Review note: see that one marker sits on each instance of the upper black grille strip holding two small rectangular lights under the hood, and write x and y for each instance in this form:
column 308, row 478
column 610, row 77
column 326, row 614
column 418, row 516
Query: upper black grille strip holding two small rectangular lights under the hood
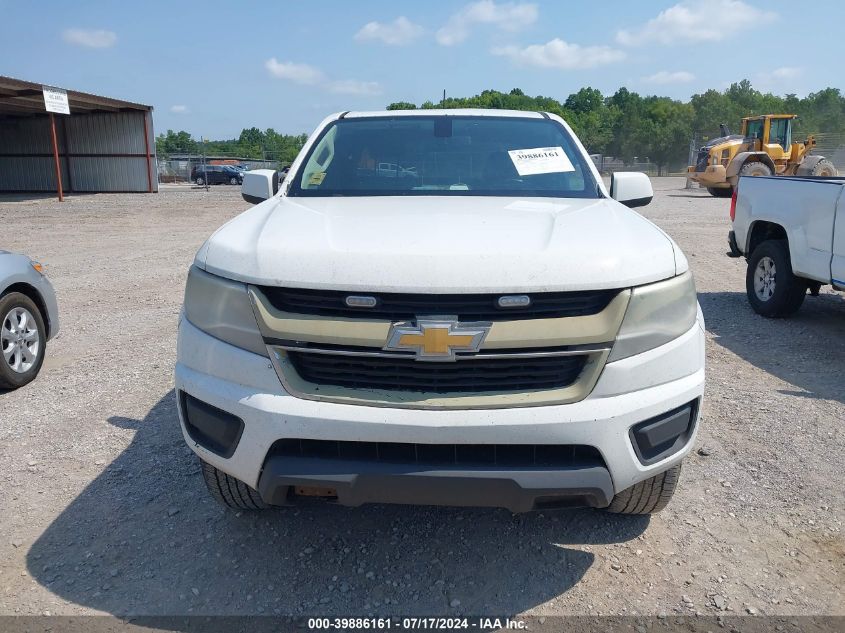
column 467, row 307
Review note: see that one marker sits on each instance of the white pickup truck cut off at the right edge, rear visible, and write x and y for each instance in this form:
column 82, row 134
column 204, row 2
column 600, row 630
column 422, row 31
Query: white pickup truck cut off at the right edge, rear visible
column 792, row 233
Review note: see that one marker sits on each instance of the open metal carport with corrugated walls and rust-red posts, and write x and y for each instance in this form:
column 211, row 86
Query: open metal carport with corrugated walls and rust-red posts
column 104, row 145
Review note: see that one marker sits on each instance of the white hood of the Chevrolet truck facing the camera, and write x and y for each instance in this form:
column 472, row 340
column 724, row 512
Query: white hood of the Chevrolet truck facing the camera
column 441, row 244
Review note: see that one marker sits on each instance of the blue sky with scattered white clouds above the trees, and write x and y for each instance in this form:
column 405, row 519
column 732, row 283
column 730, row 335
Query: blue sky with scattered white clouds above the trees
column 213, row 68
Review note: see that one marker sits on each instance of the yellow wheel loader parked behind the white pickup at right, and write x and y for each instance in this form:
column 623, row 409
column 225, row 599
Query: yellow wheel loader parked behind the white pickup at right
column 763, row 148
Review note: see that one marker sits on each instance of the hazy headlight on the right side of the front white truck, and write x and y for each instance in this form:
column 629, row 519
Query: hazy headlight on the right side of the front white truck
column 657, row 313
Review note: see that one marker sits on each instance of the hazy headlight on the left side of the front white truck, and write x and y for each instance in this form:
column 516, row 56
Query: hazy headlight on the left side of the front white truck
column 221, row 307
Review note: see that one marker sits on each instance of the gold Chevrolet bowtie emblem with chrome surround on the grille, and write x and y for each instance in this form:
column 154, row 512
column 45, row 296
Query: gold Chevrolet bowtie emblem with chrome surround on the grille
column 433, row 339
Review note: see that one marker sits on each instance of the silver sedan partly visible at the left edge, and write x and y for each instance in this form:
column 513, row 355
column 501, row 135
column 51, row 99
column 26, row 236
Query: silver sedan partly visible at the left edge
column 30, row 317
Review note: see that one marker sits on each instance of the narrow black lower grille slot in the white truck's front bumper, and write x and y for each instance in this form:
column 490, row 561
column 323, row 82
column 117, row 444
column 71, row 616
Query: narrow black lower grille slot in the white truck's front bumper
column 441, row 454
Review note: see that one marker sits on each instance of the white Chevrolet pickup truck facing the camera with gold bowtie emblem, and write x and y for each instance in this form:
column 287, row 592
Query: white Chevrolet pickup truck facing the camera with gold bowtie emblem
column 480, row 323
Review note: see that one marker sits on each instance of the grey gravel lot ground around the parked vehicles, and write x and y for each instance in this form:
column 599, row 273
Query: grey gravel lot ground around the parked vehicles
column 103, row 509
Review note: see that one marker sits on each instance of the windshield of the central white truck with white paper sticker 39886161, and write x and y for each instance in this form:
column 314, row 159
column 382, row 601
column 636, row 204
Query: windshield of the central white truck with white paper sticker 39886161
column 444, row 155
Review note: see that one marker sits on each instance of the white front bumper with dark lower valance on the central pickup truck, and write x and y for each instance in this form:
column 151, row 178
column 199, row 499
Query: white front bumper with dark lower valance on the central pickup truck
column 628, row 392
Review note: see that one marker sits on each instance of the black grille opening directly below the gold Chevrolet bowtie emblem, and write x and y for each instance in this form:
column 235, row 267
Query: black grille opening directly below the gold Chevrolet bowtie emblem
column 465, row 376
